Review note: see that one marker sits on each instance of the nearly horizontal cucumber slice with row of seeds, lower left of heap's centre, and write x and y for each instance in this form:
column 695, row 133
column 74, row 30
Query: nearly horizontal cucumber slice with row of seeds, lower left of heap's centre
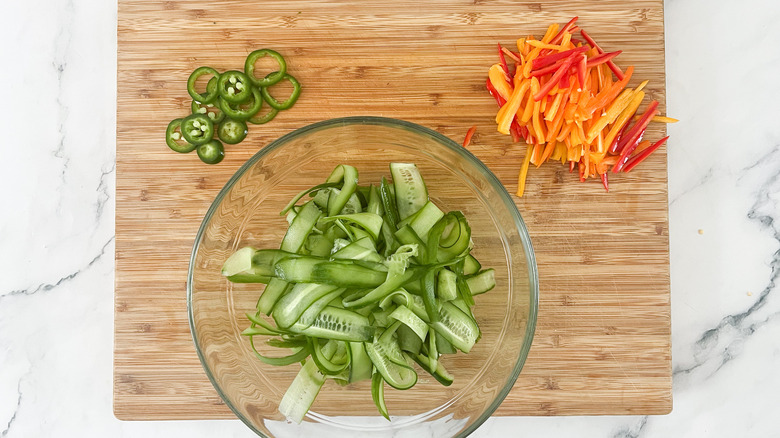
column 337, row 324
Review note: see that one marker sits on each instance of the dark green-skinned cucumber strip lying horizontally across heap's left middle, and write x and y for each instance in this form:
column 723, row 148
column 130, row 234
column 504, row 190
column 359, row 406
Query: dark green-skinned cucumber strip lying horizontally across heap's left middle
column 336, row 273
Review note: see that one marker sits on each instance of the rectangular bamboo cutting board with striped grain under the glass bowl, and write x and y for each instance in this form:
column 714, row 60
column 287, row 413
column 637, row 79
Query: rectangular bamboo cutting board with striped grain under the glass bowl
column 602, row 342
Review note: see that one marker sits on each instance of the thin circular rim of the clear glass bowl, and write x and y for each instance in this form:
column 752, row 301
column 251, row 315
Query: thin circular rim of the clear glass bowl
column 533, row 276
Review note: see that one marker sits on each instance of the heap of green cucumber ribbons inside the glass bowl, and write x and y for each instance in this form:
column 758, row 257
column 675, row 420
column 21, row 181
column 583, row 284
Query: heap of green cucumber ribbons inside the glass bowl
column 341, row 288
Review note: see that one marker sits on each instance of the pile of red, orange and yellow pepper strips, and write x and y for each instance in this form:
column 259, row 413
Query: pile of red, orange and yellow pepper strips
column 562, row 99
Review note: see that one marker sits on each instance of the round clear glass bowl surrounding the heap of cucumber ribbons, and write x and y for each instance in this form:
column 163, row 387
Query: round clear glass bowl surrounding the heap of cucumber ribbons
column 246, row 212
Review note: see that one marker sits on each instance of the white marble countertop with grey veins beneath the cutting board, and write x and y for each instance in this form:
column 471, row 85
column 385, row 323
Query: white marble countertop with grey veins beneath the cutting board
column 57, row 226
